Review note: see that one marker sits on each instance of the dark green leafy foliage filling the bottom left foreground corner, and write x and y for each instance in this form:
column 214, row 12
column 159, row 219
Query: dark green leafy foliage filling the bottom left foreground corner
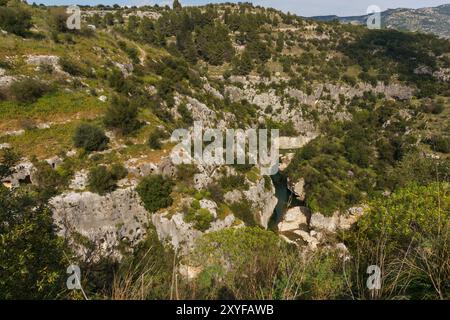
column 32, row 257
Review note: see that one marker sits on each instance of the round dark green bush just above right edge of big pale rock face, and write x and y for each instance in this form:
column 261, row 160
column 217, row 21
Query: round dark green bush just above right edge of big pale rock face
column 155, row 192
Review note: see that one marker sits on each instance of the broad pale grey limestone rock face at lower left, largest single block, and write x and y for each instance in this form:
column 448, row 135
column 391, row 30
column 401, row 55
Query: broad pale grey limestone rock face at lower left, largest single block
column 103, row 220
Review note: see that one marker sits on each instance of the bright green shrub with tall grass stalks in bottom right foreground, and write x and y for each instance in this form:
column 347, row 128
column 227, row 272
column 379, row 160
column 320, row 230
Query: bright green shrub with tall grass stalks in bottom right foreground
column 406, row 234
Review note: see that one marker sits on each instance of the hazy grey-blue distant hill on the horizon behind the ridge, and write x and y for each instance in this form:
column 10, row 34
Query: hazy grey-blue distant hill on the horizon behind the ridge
column 435, row 20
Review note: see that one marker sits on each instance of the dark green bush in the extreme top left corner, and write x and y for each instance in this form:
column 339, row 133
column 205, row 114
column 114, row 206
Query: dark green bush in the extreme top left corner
column 15, row 20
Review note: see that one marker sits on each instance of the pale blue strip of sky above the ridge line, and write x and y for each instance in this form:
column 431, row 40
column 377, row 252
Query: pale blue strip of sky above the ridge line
column 301, row 7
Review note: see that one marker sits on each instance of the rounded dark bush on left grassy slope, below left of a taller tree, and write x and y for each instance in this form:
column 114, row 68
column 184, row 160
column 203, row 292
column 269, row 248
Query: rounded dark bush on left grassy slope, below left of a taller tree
column 90, row 138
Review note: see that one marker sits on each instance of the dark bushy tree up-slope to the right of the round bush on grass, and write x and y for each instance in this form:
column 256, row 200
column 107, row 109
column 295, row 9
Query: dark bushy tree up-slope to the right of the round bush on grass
column 122, row 115
